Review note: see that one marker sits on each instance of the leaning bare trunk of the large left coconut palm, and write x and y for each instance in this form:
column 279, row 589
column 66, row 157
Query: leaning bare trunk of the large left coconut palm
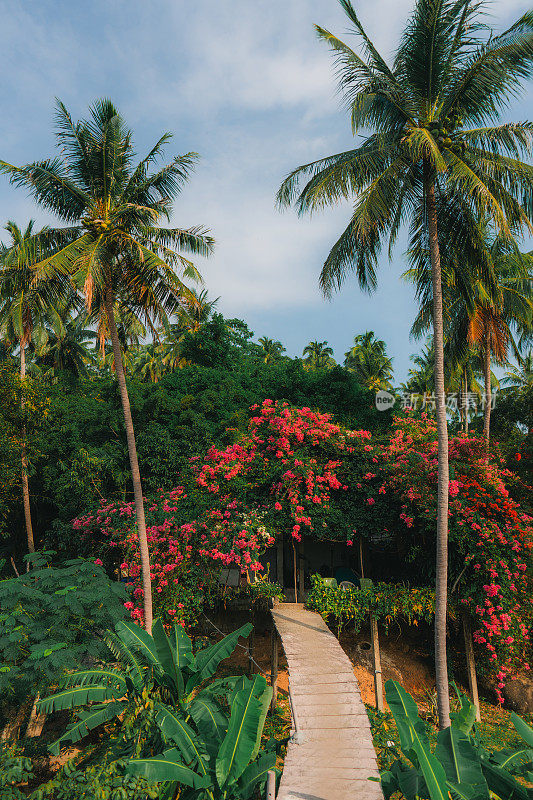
column 134, row 463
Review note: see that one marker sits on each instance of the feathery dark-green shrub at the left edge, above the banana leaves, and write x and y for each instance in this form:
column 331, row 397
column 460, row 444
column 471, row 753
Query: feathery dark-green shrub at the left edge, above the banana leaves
column 48, row 618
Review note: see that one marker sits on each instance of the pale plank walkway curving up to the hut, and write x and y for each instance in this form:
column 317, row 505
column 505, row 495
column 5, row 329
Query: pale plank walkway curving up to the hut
column 331, row 757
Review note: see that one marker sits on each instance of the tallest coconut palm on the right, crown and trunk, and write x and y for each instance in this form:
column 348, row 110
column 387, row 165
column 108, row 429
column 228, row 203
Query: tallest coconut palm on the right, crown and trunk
column 432, row 116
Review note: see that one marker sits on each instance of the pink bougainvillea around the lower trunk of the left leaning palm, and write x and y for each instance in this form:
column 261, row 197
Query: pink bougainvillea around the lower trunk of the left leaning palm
column 186, row 557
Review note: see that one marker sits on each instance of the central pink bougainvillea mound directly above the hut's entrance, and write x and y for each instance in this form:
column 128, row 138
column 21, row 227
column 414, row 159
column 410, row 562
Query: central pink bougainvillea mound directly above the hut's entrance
column 293, row 465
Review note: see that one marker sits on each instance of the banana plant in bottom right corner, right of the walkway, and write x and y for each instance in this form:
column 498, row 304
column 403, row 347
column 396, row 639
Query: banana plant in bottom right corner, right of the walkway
column 459, row 768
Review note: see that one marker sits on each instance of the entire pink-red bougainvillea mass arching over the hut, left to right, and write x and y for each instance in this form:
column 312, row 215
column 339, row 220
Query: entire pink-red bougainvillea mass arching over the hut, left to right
column 297, row 473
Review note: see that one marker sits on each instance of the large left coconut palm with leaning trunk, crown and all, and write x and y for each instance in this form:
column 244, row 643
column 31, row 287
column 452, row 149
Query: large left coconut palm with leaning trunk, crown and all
column 117, row 253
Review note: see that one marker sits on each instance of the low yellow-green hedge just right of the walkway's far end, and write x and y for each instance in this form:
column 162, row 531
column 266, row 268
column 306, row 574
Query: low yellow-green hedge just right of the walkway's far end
column 386, row 601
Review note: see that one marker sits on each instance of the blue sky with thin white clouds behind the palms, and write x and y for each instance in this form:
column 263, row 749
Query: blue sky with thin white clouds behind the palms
column 246, row 85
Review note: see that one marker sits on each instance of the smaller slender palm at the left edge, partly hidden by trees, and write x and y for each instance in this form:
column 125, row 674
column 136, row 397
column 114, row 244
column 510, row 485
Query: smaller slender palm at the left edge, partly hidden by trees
column 23, row 303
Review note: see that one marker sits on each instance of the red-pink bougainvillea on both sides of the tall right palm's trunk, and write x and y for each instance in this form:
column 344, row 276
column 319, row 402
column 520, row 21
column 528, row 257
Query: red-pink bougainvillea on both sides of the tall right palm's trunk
column 490, row 537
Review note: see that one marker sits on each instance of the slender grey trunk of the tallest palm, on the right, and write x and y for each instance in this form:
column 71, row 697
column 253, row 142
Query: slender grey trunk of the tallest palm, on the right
column 441, row 580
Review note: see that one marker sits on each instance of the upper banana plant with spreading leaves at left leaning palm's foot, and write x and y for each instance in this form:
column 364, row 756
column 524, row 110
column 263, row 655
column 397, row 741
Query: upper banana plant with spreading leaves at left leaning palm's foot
column 146, row 670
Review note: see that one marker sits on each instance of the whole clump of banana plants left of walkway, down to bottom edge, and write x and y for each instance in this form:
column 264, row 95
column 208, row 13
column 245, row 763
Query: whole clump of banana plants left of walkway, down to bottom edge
column 183, row 727
